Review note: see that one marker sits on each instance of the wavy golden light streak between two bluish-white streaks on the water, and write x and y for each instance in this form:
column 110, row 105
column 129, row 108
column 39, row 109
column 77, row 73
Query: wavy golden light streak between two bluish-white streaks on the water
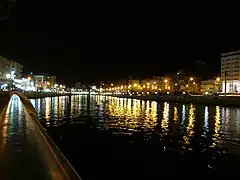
column 190, row 127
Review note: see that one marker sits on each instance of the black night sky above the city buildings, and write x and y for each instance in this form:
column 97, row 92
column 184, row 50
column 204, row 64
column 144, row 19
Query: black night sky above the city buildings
column 92, row 41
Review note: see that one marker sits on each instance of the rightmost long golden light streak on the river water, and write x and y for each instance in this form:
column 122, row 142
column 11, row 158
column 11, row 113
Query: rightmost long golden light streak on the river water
column 217, row 128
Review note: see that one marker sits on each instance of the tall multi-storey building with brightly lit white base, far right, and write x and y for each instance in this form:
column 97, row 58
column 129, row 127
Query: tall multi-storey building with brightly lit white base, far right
column 230, row 72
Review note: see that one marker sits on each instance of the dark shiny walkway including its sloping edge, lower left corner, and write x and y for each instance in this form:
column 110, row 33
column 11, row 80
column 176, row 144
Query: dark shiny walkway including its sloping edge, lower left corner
column 24, row 151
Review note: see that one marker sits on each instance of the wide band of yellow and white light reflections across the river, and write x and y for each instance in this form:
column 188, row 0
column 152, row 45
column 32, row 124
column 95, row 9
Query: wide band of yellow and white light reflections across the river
column 128, row 116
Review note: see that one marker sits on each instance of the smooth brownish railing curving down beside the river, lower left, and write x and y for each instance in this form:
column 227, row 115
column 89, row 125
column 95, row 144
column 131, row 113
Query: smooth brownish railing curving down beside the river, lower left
column 58, row 166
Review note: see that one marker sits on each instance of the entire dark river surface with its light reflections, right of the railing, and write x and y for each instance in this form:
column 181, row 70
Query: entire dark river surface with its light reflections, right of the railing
column 134, row 139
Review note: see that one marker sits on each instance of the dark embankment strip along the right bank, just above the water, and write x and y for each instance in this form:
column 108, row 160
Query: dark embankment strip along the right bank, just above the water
column 208, row 100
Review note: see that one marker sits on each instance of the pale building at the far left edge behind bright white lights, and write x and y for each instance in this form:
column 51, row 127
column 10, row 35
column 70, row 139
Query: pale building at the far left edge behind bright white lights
column 7, row 66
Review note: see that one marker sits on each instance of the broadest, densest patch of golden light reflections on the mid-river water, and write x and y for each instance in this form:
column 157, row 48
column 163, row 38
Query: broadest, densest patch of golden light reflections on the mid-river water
column 130, row 115
